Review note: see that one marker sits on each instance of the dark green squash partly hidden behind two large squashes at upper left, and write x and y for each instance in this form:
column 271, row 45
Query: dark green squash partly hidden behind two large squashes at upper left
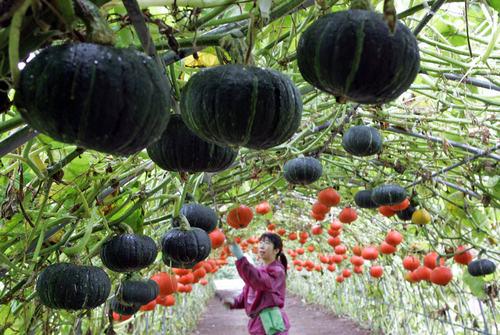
column 179, row 149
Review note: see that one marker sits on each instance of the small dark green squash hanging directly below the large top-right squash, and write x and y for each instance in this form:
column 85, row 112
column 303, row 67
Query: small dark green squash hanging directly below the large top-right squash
column 362, row 141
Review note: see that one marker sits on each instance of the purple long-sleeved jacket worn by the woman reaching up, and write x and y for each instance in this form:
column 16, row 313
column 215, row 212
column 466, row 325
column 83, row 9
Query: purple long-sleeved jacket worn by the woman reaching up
column 265, row 286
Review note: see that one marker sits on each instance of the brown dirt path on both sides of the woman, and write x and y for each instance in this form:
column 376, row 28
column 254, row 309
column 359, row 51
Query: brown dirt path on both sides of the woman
column 305, row 320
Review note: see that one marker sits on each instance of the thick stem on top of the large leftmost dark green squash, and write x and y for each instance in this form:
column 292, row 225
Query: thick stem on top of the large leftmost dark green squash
column 98, row 30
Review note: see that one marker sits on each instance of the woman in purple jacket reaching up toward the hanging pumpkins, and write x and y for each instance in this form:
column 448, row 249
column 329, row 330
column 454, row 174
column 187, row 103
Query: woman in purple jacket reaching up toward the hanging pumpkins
column 263, row 295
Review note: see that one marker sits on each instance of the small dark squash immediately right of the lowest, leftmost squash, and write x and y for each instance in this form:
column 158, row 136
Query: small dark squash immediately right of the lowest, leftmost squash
column 138, row 291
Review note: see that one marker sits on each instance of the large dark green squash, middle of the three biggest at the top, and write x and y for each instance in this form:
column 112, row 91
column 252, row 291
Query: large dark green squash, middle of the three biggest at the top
column 242, row 106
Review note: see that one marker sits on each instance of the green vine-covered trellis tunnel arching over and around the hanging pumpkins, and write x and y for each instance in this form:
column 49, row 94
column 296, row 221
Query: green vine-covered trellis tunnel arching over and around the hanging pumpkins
column 60, row 202
